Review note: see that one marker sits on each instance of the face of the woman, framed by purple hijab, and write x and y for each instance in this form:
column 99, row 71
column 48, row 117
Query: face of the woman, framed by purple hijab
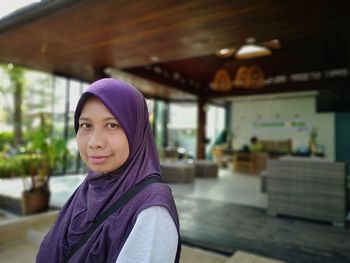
column 102, row 143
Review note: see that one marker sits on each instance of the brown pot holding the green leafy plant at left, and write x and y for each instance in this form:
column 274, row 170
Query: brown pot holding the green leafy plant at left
column 35, row 201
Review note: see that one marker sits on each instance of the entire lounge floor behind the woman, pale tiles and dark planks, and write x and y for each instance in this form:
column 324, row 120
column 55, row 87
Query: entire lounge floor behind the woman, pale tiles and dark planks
column 227, row 214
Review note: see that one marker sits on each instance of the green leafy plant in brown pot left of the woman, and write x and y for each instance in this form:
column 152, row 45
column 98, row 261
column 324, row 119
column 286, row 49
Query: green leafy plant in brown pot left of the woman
column 47, row 152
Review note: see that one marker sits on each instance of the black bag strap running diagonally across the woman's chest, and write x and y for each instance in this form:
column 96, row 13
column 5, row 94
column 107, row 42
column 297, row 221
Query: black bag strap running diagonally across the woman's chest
column 114, row 207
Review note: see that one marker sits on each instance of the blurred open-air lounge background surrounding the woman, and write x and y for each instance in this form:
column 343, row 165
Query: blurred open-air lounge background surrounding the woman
column 248, row 101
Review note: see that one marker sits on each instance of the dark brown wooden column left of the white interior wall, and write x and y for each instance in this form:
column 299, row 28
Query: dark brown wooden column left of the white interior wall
column 201, row 136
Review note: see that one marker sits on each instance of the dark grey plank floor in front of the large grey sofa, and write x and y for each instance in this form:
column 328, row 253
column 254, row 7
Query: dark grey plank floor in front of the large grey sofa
column 227, row 227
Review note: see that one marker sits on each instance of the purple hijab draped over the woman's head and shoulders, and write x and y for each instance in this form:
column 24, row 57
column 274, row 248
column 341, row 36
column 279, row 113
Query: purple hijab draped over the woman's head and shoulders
column 97, row 192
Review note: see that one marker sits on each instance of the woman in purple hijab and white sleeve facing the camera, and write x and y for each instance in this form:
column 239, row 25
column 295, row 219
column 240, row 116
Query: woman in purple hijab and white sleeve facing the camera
column 115, row 141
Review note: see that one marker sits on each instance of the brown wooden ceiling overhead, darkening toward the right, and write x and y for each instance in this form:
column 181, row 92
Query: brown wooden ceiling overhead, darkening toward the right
column 81, row 38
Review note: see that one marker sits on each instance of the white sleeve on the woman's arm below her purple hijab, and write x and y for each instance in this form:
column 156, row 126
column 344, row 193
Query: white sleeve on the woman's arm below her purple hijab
column 153, row 239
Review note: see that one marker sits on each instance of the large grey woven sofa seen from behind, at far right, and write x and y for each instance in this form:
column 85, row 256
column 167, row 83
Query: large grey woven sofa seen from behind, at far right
column 307, row 188
